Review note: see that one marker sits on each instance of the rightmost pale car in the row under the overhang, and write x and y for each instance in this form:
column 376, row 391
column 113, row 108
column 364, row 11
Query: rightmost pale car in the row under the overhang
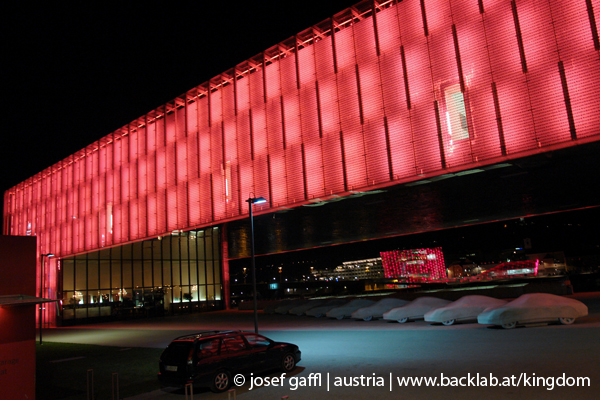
column 535, row 308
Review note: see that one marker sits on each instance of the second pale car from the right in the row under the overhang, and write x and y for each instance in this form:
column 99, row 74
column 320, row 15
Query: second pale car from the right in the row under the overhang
column 466, row 308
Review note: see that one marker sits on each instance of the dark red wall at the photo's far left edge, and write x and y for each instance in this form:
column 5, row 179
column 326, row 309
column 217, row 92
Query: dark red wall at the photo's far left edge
column 17, row 324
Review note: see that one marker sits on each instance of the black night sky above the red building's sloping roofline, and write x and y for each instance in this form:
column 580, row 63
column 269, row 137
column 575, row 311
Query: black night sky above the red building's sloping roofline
column 73, row 73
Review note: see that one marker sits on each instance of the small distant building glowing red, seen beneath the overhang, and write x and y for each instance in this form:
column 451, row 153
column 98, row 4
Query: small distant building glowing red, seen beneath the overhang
column 415, row 265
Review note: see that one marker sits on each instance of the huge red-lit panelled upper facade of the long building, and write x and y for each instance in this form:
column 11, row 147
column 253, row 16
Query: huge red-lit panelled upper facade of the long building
column 379, row 94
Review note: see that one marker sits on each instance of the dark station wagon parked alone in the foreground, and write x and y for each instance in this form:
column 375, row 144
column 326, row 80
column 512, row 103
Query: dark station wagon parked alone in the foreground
column 212, row 358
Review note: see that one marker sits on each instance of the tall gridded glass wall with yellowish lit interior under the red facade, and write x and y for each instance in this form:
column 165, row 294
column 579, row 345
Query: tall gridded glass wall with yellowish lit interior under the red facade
column 145, row 278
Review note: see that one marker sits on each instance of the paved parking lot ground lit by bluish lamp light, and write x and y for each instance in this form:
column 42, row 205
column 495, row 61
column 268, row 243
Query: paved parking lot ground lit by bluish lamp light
column 347, row 359
